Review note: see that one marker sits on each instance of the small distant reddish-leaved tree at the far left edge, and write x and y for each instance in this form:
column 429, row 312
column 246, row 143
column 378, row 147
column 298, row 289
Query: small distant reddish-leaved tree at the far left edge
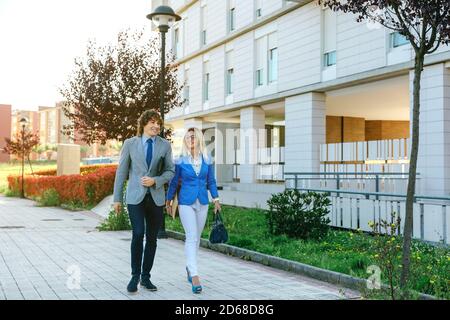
column 22, row 145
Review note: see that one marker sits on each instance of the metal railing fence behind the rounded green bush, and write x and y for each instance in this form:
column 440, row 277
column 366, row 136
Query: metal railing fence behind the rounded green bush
column 354, row 209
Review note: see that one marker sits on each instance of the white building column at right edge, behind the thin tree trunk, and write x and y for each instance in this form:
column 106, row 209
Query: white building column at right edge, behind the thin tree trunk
column 434, row 135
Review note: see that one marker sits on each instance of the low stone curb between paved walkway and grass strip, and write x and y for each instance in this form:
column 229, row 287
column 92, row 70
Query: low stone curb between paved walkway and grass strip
column 328, row 276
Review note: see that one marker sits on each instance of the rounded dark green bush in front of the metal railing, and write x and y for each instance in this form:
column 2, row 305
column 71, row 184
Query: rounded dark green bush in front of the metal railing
column 299, row 215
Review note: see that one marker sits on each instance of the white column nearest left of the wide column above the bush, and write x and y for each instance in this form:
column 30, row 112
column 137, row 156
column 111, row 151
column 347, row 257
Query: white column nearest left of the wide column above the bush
column 252, row 137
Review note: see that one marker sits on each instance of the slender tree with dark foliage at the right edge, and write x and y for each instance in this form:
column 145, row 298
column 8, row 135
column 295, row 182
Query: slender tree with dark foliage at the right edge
column 426, row 25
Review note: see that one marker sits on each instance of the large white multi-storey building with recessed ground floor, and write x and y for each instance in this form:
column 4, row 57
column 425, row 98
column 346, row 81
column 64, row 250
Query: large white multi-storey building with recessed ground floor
column 335, row 93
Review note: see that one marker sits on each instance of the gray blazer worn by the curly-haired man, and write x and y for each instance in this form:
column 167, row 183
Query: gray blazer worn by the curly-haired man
column 133, row 166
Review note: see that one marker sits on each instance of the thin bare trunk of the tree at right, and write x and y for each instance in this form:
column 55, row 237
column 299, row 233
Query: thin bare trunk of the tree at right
column 408, row 229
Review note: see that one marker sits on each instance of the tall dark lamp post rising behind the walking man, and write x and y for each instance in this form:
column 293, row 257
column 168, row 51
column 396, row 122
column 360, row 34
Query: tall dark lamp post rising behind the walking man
column 163, row 17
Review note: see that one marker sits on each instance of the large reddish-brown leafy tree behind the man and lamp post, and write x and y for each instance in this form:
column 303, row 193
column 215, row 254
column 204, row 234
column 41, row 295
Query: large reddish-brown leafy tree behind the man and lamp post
column 112, row 85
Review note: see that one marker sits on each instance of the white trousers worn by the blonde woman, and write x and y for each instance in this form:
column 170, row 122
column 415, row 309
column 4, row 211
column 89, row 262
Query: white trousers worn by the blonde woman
column 193, row 218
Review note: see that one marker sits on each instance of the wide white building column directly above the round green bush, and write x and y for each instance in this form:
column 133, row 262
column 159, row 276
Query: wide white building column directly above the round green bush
column 305, row 117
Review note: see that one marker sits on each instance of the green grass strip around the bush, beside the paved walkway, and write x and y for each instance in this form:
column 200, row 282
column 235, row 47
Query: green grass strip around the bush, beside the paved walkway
column 341, row 251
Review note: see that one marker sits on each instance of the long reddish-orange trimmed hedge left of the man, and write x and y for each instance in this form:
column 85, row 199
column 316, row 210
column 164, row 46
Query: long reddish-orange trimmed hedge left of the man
column 89, row 187
